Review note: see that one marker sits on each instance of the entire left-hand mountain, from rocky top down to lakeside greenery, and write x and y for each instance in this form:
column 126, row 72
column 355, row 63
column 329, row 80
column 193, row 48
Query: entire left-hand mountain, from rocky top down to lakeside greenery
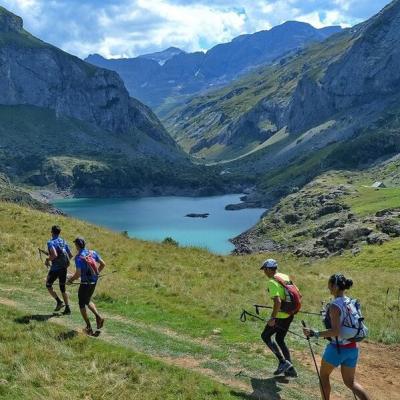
column 54, row 106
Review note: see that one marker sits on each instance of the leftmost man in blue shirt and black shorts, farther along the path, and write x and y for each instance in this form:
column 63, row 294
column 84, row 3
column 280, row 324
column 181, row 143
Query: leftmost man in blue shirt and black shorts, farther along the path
column 58, row 258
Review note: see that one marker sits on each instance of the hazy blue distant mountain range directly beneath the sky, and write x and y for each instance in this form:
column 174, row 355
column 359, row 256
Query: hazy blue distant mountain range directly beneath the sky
column 158, row 83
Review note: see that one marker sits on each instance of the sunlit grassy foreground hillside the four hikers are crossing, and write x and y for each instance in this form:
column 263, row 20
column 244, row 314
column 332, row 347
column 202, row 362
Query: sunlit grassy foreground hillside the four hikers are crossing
column 166, row 303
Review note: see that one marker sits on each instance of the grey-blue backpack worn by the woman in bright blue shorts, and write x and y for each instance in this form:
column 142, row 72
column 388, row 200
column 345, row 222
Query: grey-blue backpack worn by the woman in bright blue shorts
column 353, row 328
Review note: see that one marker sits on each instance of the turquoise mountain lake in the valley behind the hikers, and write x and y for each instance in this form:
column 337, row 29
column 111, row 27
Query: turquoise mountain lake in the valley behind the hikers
column 155, row 218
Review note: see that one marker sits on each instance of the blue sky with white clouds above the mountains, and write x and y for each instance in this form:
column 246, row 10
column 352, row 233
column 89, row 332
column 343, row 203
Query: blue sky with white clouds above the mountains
column 126, row 28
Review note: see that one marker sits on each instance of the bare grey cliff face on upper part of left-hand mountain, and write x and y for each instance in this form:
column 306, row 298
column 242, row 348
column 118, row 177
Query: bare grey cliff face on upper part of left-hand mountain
column 34, row 73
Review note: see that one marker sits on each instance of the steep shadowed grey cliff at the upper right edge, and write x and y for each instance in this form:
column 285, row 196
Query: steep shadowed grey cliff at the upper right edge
column 368, row 72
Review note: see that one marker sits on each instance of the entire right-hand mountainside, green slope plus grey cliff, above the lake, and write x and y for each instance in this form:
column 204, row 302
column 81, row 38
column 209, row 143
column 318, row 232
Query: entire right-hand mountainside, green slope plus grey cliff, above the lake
column 298, row 111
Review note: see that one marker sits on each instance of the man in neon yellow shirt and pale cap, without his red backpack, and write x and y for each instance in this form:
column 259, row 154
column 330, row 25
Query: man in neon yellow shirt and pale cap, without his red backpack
column 279, row 322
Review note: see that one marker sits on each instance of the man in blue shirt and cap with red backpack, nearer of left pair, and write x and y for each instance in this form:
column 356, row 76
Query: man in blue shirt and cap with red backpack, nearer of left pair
column 88, row 267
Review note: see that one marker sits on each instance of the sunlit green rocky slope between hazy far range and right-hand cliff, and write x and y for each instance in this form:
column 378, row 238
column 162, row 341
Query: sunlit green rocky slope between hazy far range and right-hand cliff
column 230, row 122
